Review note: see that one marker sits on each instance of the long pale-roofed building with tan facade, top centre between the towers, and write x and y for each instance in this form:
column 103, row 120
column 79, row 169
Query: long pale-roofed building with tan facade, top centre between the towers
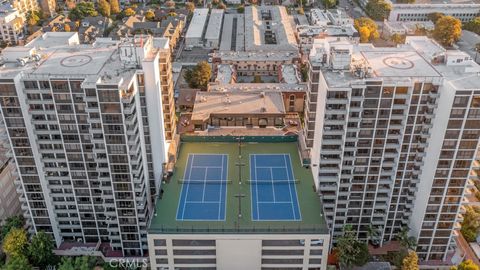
column 264, row 40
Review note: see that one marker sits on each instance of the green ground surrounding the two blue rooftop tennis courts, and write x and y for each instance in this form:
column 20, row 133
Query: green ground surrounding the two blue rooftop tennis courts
column 309, row 202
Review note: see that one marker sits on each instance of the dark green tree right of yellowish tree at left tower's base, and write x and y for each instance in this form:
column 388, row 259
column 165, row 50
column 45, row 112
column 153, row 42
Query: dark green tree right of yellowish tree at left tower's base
column 41, row 250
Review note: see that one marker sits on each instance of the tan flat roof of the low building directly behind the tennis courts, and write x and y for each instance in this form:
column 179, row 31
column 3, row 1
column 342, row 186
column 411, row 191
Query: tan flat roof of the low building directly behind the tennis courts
column 208, row 103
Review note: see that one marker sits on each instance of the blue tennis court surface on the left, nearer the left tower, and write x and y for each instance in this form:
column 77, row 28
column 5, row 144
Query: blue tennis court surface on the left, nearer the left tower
column 204, row 188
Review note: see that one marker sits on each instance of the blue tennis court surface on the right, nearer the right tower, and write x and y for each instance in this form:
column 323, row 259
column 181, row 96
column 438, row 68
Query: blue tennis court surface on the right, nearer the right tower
column 274, row 195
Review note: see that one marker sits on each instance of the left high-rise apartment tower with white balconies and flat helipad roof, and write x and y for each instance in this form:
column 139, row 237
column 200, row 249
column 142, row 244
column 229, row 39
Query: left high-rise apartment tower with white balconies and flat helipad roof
column 87, row 130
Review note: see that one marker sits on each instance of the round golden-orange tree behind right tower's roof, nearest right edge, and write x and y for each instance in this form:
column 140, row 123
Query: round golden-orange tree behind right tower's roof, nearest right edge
column 447, row 30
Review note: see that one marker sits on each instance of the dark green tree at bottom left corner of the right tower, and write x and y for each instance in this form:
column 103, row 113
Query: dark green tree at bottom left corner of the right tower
column 350, row 251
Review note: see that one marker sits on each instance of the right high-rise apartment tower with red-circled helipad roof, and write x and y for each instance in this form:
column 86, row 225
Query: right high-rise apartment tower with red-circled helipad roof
column 393, row 133
